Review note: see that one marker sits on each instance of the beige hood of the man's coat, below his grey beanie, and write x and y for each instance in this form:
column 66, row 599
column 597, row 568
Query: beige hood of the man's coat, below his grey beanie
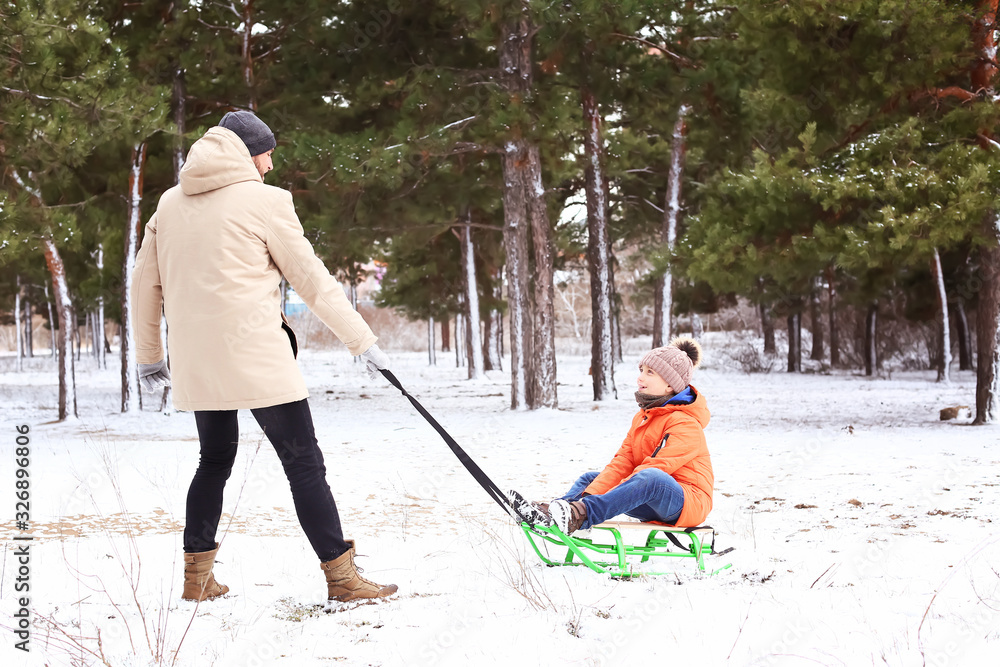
column 218, row 159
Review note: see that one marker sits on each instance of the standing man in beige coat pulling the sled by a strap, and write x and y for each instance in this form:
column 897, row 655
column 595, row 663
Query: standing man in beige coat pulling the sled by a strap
column 212, row 258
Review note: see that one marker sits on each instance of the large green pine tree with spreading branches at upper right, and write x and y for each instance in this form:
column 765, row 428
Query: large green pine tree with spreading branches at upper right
column 858, row 161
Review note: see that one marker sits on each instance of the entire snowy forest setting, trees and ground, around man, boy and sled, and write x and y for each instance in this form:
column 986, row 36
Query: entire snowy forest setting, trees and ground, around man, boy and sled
column 544, row 190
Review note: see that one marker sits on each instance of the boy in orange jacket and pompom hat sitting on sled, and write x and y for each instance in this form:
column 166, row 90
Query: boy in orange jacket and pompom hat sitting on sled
column 663, row 471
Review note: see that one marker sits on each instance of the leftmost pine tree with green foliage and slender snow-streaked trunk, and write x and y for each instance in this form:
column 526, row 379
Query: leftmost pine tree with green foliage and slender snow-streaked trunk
column 66, row 92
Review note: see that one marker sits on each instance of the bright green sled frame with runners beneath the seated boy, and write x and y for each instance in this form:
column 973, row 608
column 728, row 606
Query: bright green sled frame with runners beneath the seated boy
column 607, row 551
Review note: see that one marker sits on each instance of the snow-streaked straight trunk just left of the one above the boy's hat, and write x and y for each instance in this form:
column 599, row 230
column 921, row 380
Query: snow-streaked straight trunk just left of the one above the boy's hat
column 602, row 366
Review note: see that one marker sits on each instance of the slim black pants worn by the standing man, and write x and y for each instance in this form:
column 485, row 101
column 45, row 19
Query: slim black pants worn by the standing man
column 289, row 428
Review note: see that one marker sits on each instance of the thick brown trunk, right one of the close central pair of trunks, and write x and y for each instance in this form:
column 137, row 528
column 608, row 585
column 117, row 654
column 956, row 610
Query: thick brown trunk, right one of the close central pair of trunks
column 544, row 393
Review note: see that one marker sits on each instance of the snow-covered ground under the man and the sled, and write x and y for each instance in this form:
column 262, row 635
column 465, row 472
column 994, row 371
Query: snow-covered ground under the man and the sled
column 863, row 528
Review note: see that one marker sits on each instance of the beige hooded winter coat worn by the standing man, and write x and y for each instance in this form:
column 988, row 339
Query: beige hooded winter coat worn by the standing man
column 213, row 256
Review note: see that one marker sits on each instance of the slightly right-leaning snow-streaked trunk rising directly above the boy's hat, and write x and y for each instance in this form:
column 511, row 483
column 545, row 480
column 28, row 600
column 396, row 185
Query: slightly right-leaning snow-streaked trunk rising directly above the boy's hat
column 663, row 317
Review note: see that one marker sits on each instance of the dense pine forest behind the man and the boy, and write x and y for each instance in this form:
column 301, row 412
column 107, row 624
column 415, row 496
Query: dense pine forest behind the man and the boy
column 799, row 156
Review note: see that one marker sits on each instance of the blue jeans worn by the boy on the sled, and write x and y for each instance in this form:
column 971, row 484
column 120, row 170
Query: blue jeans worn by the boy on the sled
column 649, row 495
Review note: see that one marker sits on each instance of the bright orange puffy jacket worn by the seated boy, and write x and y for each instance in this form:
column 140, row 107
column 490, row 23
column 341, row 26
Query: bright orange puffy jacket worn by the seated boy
column 684, row 456
